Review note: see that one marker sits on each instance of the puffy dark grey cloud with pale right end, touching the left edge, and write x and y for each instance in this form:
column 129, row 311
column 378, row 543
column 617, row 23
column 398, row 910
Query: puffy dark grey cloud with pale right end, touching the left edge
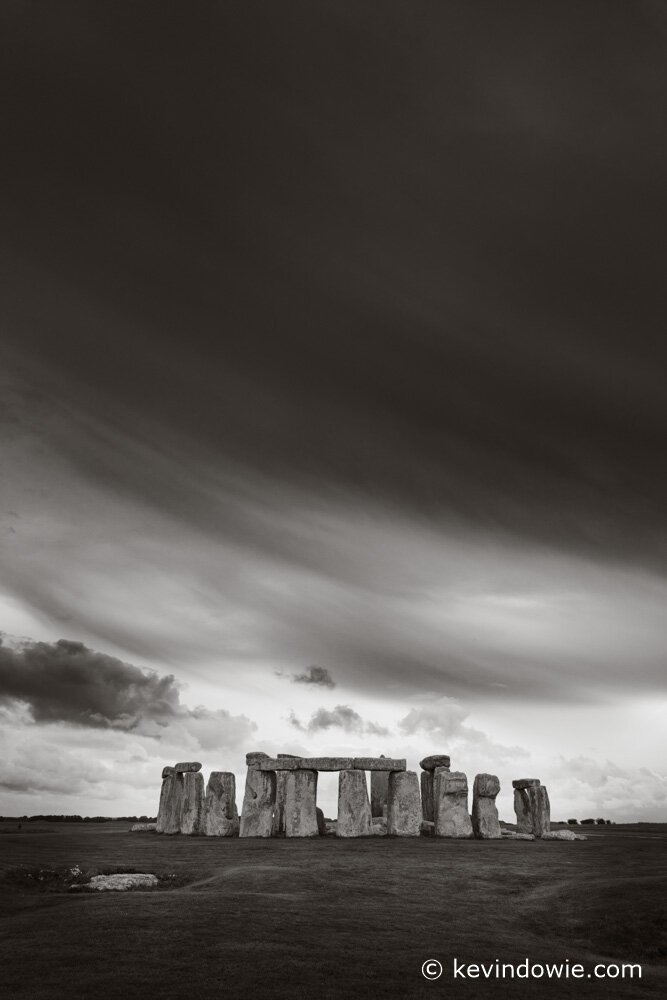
column 66, row 682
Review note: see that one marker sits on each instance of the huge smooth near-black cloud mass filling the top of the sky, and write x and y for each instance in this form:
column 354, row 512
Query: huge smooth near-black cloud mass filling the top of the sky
column 433, row 279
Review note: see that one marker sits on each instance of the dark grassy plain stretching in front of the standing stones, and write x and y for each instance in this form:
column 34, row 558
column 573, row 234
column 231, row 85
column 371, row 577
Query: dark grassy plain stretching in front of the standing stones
column 326, row 918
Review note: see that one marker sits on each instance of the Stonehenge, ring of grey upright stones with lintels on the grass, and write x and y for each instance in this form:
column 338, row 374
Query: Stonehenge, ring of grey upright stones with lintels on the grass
column 280, row 800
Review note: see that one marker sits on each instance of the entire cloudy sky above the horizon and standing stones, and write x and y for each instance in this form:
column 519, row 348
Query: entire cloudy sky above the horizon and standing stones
column 332, row 382
